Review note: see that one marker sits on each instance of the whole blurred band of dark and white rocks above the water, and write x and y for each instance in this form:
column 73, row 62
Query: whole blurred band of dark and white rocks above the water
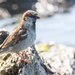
column 45, row 8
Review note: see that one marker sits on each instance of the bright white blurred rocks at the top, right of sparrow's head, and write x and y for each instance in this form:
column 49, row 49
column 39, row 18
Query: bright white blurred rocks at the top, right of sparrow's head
column 49, row 7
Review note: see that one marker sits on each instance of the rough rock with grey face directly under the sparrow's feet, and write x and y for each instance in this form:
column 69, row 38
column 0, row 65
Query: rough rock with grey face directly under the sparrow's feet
column 9, row 64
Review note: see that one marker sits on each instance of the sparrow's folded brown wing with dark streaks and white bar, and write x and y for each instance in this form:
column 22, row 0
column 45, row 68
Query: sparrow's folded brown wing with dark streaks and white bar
column 15, row 37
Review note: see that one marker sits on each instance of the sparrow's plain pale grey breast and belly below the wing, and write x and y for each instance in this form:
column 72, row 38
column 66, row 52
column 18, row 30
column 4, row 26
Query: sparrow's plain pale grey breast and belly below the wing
column 31, row 36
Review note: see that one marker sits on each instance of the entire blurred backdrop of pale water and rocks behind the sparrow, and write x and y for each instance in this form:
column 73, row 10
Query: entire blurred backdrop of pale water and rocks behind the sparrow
column 57, row 21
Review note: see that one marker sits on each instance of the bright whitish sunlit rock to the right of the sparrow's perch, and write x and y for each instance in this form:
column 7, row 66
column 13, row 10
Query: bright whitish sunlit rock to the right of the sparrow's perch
column 58, row 58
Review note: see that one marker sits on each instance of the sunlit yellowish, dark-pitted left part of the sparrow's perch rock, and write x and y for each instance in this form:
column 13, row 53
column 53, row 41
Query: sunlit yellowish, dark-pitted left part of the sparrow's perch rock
column 8, row 64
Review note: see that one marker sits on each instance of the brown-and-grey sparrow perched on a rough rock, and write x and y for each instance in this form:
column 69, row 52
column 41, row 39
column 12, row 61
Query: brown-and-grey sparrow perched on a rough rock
column 23, row 35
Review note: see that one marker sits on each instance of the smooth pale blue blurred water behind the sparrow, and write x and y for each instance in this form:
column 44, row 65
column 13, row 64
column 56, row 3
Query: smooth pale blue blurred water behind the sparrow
column 59, row 28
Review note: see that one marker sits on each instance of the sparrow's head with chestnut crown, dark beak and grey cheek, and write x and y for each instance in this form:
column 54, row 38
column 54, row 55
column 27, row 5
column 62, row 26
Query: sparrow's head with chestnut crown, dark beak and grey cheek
column 29, row 18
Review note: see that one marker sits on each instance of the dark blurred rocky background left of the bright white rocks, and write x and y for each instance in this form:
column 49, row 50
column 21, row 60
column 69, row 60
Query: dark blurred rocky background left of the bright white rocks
column 12, row 7
